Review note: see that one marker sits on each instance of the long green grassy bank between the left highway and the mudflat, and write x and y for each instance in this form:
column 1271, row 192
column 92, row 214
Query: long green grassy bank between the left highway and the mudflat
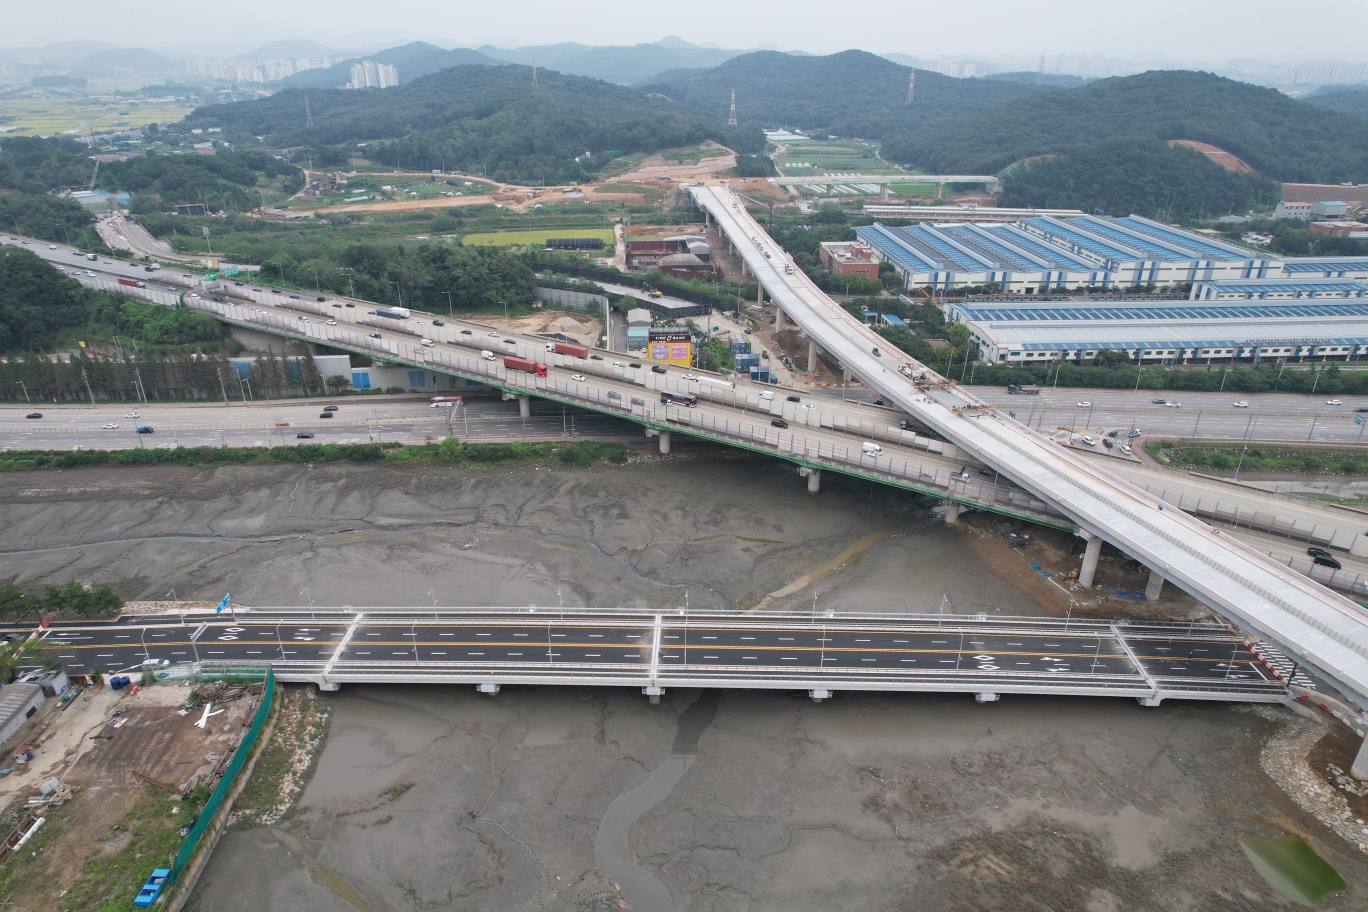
column 451, row 452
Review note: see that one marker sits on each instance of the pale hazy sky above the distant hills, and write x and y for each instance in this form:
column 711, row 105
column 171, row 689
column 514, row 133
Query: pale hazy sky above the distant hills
column 1153, row 29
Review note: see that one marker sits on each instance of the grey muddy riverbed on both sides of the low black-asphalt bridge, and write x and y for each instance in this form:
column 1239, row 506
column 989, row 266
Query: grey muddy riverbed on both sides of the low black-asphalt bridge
column 443, row 799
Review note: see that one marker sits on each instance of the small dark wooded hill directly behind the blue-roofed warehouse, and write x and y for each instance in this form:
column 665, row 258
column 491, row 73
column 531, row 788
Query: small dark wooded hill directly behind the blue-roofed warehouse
column 1143, row 176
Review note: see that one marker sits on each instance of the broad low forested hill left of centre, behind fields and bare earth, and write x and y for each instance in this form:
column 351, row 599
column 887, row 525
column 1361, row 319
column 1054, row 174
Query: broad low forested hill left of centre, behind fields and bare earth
column 482, row 120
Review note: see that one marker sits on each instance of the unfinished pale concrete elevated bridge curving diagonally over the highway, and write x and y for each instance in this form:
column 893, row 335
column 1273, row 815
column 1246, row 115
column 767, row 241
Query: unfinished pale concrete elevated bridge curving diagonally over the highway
column 1321, row 630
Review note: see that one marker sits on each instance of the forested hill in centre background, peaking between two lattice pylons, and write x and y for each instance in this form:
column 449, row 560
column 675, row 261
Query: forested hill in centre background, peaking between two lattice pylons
column 850, row 94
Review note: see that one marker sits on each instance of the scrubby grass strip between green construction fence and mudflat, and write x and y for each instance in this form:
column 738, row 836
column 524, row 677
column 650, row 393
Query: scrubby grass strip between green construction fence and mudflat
column 288, row 760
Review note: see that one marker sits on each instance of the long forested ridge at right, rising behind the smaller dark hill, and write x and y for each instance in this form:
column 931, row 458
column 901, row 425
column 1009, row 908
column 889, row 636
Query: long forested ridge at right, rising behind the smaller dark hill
column 1282, row 139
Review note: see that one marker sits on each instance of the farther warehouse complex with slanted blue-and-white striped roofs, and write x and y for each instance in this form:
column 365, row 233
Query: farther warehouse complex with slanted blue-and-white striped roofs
column 1046, row 254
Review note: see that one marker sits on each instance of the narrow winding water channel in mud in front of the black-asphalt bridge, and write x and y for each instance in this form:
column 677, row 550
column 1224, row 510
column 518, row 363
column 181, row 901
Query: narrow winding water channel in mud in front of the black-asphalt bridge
column 612, row 847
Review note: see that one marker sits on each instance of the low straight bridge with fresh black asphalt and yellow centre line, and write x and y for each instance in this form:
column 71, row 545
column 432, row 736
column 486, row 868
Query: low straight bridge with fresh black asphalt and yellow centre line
column 823, row 654
